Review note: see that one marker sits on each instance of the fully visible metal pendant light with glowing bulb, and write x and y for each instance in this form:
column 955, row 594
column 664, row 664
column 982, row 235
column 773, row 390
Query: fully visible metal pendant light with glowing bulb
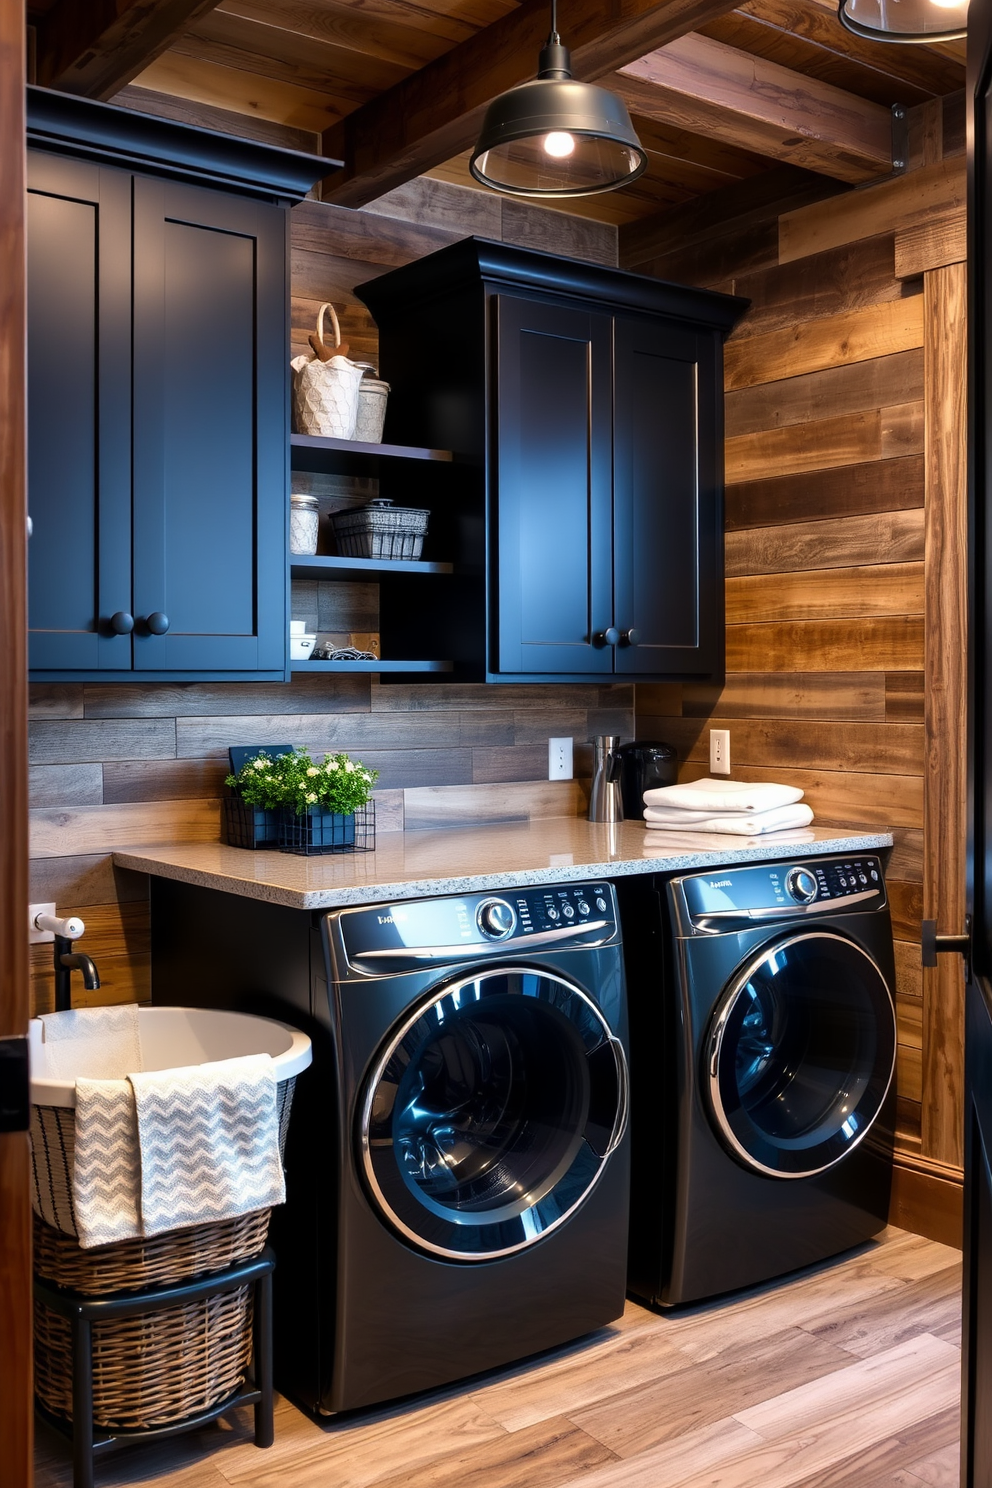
column 555, row 136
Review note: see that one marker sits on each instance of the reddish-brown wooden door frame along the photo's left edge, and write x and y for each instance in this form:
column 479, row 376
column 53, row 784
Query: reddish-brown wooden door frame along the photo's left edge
column 16, row 1212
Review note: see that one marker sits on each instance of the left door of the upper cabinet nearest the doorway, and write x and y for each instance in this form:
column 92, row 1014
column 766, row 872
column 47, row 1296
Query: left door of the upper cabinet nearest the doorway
column 80, row 413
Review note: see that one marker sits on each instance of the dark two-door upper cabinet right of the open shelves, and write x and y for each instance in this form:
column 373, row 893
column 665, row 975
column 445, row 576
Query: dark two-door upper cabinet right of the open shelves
column 587, row 410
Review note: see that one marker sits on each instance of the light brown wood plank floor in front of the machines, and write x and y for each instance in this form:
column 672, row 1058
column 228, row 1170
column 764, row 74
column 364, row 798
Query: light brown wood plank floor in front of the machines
column 846, row 1377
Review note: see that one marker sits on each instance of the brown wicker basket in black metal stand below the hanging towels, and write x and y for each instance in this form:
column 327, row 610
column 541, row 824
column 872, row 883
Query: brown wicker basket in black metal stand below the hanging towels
column 158, row 1368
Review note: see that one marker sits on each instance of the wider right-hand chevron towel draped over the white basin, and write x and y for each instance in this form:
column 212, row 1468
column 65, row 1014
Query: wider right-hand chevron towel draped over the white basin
column 209, row 1138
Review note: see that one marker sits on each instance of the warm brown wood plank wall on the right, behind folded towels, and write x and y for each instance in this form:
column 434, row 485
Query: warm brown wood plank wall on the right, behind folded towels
column 846, row 572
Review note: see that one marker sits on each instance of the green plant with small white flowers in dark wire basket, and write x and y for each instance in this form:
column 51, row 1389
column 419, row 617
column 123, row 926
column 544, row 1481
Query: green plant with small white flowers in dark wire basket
column 322, row 807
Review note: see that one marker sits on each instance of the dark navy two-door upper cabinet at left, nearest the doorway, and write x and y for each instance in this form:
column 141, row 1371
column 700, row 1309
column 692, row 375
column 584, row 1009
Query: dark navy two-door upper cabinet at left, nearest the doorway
column 158, row 413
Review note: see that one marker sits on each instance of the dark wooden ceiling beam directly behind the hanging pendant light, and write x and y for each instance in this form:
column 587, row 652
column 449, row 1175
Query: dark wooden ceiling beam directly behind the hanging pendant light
column 437, row 114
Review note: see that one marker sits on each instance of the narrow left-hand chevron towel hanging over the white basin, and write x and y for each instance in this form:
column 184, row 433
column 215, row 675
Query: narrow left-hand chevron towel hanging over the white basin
column 106, row 1164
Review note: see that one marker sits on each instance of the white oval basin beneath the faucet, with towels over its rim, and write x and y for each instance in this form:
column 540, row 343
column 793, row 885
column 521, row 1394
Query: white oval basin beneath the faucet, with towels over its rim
column 172, row 1038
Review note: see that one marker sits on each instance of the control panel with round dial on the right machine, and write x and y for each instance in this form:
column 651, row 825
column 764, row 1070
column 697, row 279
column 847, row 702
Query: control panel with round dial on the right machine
column 737, row 897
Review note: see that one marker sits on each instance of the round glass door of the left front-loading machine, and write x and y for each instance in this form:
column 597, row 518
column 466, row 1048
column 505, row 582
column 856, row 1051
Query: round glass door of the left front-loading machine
column 492, row 1114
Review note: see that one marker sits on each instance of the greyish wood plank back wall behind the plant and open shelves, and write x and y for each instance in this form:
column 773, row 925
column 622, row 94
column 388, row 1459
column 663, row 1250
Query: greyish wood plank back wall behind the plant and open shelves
column 124, row 764
